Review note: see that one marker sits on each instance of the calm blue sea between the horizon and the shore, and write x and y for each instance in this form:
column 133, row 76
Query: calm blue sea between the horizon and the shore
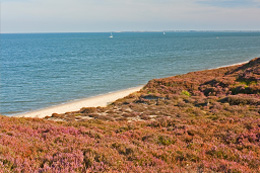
column 39, row 70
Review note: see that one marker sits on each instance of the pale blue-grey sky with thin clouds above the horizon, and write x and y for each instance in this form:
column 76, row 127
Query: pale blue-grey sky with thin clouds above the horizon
column 29, row 16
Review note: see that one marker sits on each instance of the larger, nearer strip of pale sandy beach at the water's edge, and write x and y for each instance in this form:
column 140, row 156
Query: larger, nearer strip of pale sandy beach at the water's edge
column 100, row 100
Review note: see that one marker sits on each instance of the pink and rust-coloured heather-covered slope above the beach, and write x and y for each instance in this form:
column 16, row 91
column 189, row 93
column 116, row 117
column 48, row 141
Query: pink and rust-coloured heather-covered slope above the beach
column 205, row 121
